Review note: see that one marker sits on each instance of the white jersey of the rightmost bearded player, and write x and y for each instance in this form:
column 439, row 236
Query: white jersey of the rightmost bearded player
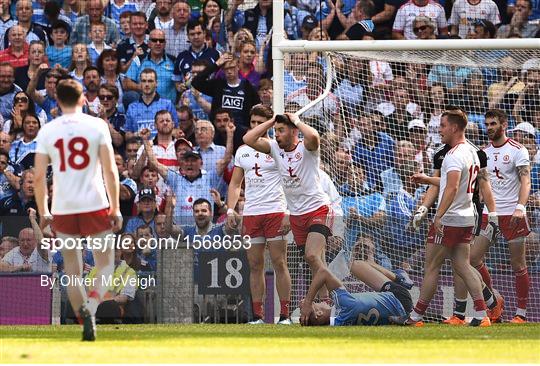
column 503, row 163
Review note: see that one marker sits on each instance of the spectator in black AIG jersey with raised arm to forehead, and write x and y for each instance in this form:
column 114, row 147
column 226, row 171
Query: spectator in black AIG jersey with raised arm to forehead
column 232, row 94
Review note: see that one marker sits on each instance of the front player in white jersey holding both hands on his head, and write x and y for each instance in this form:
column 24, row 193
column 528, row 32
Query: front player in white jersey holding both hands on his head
column 298, row 164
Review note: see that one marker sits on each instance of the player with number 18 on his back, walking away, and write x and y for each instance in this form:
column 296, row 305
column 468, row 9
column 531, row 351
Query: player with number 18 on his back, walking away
column 80, row 149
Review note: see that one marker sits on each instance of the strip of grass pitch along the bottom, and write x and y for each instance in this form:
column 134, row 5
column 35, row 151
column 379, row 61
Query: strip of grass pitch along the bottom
column 501, row 343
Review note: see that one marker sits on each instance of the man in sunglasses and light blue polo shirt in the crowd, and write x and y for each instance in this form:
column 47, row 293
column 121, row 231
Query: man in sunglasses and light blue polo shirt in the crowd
column 158, row 61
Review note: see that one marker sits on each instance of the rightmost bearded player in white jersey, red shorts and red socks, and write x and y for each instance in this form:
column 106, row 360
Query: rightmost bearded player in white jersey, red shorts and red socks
column 509, row 172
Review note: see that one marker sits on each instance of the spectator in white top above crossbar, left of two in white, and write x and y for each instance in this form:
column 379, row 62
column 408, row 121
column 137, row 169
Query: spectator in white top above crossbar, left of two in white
column 403, row 27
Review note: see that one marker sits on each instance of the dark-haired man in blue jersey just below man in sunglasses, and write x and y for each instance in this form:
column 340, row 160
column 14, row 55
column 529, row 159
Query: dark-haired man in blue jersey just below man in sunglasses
column 141, row 114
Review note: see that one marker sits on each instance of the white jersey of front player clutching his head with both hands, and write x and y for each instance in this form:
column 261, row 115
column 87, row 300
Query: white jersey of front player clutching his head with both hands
column 299, row 170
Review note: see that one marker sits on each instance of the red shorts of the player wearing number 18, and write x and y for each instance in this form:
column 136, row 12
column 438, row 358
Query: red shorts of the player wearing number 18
column 84, row 224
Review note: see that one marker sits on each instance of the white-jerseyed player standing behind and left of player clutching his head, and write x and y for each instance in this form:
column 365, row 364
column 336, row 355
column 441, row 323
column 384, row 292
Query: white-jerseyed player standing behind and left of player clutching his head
column 264, row 219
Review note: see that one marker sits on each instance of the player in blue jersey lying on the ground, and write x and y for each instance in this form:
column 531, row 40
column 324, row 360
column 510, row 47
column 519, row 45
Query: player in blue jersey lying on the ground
column 367, row 308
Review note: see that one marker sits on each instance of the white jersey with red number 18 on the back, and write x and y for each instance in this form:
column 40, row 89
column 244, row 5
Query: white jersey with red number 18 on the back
column 72, row 143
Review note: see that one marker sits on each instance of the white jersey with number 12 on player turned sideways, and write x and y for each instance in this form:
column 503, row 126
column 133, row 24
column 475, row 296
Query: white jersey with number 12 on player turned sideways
column 462, row 158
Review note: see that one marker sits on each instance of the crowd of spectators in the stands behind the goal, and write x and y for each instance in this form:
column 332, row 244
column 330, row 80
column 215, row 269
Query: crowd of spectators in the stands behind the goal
column 177, row 82
